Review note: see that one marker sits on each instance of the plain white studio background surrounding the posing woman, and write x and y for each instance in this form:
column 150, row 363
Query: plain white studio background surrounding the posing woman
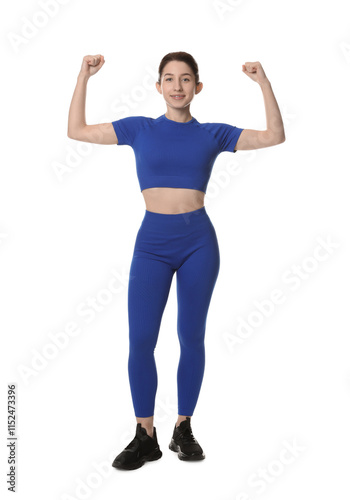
column 63, row 238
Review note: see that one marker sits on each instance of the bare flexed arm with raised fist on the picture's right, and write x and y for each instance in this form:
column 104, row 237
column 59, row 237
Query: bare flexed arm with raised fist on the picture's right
column 274, row 133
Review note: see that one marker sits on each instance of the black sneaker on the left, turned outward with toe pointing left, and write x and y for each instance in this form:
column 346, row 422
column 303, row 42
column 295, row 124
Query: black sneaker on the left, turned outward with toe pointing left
column 141, row 449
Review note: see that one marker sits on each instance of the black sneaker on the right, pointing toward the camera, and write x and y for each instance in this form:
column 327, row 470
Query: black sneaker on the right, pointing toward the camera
column 184, row 443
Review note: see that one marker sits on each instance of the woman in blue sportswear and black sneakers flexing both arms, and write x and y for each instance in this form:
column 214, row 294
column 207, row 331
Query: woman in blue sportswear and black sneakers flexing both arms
column 174, row 158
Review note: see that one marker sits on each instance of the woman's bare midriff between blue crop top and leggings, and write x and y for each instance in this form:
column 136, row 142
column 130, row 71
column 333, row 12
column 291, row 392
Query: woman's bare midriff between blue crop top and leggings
column 173, row 200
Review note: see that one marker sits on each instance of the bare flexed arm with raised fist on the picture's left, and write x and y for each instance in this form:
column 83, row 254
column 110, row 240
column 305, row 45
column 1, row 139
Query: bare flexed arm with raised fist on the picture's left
column 102, row 133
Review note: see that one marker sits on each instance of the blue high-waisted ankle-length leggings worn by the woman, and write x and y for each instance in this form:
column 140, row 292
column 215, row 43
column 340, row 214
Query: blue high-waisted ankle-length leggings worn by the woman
column 165, row 243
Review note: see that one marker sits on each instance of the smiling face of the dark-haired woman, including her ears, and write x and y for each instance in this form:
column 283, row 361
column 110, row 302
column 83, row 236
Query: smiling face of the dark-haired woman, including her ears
column 178, row 80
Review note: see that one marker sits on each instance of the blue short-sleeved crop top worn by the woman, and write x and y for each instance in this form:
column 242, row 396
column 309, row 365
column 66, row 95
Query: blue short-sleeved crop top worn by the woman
column 175, row 154
